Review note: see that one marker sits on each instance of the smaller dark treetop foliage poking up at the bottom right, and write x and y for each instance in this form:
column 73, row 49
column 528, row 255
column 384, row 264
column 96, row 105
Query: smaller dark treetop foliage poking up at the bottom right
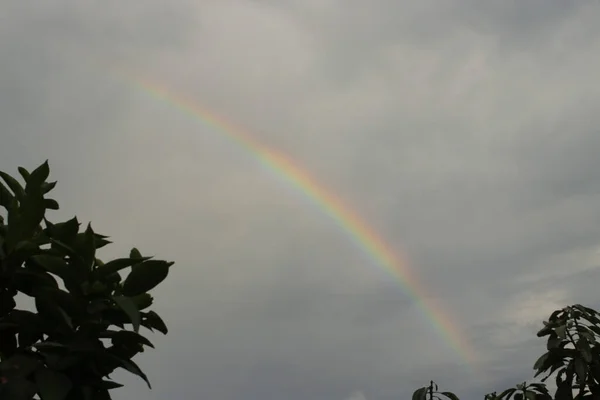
column 572, row 358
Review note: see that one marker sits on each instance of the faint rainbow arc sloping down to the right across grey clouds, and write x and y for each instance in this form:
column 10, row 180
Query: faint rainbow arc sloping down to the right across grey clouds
column 358, row 230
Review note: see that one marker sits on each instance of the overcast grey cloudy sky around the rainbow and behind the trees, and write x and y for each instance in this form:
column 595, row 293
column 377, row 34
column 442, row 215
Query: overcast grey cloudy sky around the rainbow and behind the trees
column 463, row 132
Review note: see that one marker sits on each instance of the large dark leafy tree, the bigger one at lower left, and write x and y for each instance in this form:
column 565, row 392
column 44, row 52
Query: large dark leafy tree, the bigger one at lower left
column 75, row 338
